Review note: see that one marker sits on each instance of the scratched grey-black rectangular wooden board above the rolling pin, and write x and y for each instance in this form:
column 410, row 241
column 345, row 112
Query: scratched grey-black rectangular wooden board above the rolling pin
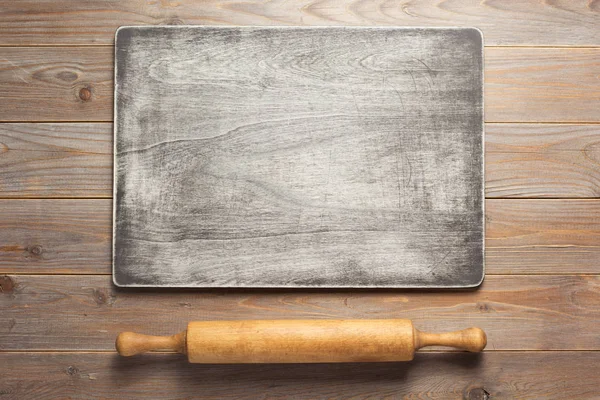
column 298, row 157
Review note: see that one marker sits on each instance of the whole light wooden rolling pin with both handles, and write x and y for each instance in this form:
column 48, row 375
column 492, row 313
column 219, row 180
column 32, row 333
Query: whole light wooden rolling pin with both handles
column 299, row 341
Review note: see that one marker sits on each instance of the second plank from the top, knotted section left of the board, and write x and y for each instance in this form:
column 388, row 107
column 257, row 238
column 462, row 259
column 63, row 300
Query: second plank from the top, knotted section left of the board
column 55, row 84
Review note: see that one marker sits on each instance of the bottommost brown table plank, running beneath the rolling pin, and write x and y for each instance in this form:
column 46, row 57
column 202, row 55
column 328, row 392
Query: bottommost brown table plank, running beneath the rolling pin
column 499, row 375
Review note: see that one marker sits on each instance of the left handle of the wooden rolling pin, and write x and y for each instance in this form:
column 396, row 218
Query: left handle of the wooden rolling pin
column 130, row 344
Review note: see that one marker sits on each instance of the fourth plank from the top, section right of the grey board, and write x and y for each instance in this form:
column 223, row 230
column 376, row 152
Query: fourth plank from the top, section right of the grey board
column 542, row 236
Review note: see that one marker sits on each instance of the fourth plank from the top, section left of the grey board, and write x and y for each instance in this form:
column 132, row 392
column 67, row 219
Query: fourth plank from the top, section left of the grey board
column 59, row 235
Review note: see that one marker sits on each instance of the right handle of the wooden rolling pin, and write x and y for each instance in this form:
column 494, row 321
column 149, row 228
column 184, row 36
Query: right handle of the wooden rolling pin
column 471, row 339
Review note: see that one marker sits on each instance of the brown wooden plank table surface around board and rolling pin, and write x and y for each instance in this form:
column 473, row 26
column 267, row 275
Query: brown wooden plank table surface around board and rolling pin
column 539, row 304
